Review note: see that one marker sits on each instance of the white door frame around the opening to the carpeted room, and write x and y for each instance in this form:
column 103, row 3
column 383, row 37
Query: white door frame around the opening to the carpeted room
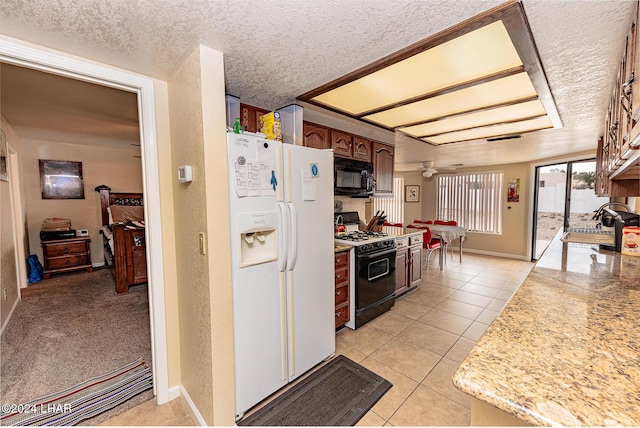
column 14, row 52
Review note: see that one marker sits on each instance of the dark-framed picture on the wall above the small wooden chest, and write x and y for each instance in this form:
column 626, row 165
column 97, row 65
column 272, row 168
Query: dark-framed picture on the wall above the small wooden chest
column 61, row 179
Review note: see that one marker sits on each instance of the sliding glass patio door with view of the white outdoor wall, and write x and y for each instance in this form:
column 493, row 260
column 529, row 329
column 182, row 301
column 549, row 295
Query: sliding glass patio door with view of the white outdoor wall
column 564, row 197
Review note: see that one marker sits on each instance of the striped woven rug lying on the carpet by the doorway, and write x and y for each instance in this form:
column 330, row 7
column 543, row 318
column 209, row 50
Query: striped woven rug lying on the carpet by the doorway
column 81, row 401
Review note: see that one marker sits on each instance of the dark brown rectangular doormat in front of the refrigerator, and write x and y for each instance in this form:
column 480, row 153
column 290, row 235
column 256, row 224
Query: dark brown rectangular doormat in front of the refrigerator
column 338, row 394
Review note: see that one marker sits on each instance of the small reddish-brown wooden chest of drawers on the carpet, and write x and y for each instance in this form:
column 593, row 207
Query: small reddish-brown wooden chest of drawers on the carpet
column 66, row 255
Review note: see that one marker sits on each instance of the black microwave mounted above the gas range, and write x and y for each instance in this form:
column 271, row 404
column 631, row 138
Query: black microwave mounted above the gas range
column 352, row 177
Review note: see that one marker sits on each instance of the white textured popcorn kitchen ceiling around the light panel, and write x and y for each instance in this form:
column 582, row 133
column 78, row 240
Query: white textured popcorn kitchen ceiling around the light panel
column 277, row 50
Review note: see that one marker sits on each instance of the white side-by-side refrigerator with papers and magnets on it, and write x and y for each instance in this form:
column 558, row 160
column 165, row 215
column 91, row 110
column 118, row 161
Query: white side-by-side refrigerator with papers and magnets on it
column 281, row 214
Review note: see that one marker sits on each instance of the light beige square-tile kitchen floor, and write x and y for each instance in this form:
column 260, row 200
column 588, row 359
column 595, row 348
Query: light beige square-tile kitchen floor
column 417, row 346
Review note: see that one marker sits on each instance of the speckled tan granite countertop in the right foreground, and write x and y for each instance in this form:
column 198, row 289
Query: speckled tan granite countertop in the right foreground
column 566, row 348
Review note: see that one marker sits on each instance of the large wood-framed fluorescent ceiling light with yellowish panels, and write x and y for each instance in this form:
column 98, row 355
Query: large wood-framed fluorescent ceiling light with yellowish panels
column 479, row 79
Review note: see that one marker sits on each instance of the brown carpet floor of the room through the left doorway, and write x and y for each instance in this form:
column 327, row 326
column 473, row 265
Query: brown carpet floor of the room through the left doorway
column 68, row 329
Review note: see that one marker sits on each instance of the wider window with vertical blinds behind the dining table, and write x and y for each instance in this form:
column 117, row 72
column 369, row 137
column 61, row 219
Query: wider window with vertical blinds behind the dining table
column 473, row 200
